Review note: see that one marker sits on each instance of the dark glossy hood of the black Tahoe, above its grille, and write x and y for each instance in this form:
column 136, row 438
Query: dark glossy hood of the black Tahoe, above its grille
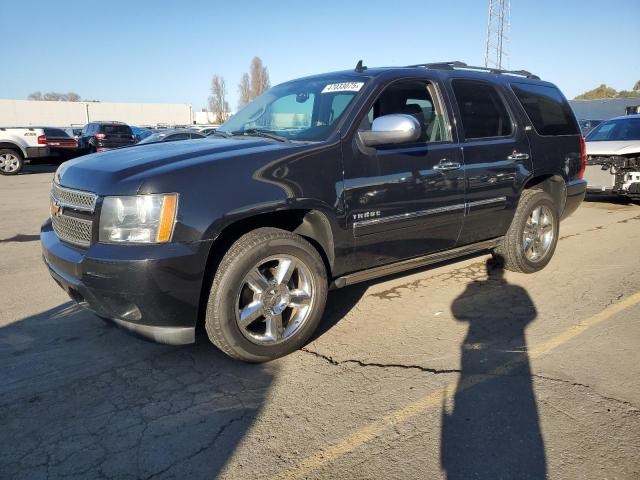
column 124, row 170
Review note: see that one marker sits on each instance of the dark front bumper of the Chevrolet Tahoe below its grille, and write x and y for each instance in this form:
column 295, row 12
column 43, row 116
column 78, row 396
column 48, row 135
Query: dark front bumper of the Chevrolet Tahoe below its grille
column 153, row 290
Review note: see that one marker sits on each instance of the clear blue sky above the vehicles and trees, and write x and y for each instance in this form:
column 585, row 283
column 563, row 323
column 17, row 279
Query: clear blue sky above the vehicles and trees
column 167, row 51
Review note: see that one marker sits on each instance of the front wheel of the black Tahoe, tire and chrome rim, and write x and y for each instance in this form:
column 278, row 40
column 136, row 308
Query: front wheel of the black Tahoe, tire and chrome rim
column 267, row 297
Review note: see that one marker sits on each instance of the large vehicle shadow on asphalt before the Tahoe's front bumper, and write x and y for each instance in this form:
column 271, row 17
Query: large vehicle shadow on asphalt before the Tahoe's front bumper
column 81, row 397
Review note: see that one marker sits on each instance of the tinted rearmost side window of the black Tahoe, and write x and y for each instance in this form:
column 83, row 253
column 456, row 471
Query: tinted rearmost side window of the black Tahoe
column 547, row 109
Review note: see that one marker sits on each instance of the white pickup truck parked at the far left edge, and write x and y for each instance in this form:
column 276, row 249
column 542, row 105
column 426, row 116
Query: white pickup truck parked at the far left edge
column 18, row 145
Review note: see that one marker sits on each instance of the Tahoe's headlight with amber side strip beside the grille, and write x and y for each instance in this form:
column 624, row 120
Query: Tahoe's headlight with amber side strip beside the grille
column 138, row 219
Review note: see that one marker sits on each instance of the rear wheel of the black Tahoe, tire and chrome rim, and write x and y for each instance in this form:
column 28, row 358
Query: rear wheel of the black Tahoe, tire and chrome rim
column 533, row 235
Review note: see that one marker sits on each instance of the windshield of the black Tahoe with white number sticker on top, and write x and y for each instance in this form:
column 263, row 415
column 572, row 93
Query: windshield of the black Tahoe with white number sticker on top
column 304, row 110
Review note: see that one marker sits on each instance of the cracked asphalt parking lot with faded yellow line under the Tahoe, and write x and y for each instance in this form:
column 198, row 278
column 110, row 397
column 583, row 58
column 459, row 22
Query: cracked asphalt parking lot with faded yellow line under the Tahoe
column 458, row 372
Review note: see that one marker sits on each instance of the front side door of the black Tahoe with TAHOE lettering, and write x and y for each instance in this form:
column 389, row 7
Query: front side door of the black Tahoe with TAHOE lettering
column 405, row 200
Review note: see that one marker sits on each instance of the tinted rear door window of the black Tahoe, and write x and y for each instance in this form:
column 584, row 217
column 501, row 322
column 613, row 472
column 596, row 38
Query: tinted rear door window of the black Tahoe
column 482, row 110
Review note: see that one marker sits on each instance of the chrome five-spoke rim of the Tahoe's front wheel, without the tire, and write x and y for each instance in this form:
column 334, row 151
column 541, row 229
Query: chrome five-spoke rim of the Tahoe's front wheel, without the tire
column 274, row 300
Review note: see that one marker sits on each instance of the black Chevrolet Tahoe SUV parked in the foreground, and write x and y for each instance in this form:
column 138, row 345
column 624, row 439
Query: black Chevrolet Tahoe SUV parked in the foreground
column 322, row 182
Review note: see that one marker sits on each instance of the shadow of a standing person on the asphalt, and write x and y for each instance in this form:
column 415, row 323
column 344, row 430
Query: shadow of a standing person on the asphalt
column 493, row 430
